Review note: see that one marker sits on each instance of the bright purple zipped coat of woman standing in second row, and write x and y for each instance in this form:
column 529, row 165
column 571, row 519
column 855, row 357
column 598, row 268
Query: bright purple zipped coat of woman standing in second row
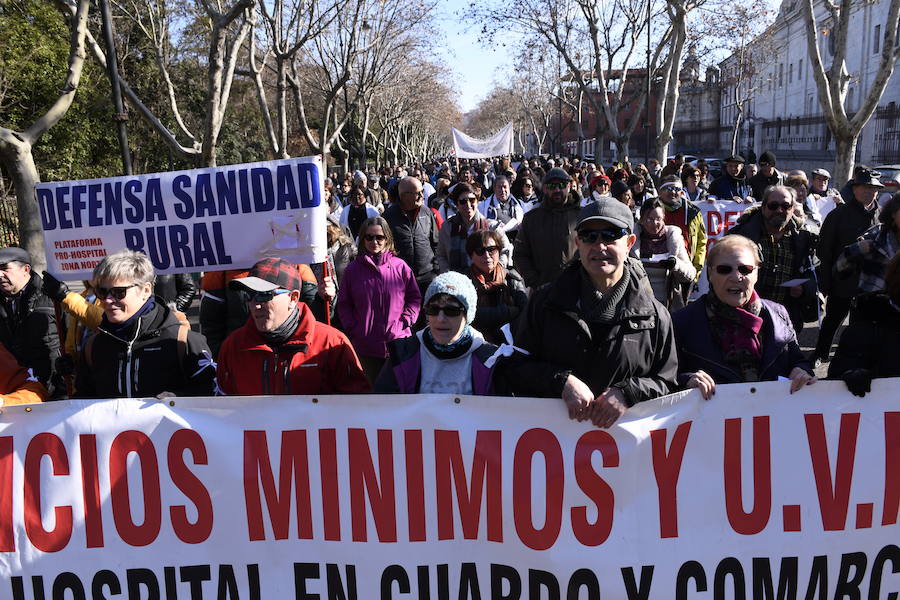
column 377, row 303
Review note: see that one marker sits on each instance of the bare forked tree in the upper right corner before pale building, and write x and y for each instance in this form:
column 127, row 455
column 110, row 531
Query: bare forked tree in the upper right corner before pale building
column 832, row 83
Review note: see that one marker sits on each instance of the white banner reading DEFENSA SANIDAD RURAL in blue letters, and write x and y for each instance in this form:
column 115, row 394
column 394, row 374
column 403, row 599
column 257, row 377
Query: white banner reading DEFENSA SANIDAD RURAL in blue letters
column 186, row 221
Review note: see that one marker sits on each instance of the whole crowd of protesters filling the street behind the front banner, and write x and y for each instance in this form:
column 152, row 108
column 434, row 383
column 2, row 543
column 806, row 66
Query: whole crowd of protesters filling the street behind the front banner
column 544, row 277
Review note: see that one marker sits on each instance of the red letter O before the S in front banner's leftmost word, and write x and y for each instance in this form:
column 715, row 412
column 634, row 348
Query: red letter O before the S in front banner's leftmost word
column 139, row 443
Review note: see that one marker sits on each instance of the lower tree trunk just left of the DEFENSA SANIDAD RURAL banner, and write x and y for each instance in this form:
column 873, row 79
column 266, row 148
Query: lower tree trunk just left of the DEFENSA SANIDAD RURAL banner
column 15, row 154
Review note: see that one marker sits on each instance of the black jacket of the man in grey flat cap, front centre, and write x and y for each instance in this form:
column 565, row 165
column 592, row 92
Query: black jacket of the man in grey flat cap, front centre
column 635, row 354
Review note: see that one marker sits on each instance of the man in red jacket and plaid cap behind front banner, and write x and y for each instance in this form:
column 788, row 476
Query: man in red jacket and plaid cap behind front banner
column 282, row 349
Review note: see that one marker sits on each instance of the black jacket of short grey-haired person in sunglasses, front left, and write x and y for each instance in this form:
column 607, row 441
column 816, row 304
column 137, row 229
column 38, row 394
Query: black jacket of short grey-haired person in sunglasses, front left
column 146, row 360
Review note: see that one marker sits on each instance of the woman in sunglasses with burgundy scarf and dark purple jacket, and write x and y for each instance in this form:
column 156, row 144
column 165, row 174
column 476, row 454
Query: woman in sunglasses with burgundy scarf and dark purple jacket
column 730, row 334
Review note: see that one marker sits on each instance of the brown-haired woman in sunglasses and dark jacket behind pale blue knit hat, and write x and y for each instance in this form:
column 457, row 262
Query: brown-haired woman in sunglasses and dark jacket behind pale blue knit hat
column 501, row 291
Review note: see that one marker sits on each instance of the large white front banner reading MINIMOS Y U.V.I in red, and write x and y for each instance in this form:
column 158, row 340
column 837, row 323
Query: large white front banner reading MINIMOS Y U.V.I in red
column 752, row 494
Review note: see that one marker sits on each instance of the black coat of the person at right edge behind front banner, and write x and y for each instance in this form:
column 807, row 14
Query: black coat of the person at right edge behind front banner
column 872, row 341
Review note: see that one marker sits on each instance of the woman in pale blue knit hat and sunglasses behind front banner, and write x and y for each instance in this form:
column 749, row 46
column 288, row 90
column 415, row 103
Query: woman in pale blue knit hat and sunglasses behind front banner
column 449, row 356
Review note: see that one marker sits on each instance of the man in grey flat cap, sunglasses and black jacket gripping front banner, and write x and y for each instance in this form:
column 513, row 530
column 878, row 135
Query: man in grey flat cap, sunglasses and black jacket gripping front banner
column 596, row 336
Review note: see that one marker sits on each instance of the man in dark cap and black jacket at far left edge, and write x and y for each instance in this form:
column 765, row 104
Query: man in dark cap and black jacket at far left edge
column 27, row 326
